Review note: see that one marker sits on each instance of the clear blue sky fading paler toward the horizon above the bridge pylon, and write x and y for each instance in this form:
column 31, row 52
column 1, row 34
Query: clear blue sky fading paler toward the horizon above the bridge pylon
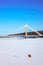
column 16, row 13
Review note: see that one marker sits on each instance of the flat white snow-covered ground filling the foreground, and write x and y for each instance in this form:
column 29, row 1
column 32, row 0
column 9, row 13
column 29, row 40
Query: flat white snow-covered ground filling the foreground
column 15, row 51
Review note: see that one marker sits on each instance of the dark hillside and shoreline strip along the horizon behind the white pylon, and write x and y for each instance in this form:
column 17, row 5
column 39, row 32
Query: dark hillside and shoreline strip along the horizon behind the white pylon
column 22, row 35
